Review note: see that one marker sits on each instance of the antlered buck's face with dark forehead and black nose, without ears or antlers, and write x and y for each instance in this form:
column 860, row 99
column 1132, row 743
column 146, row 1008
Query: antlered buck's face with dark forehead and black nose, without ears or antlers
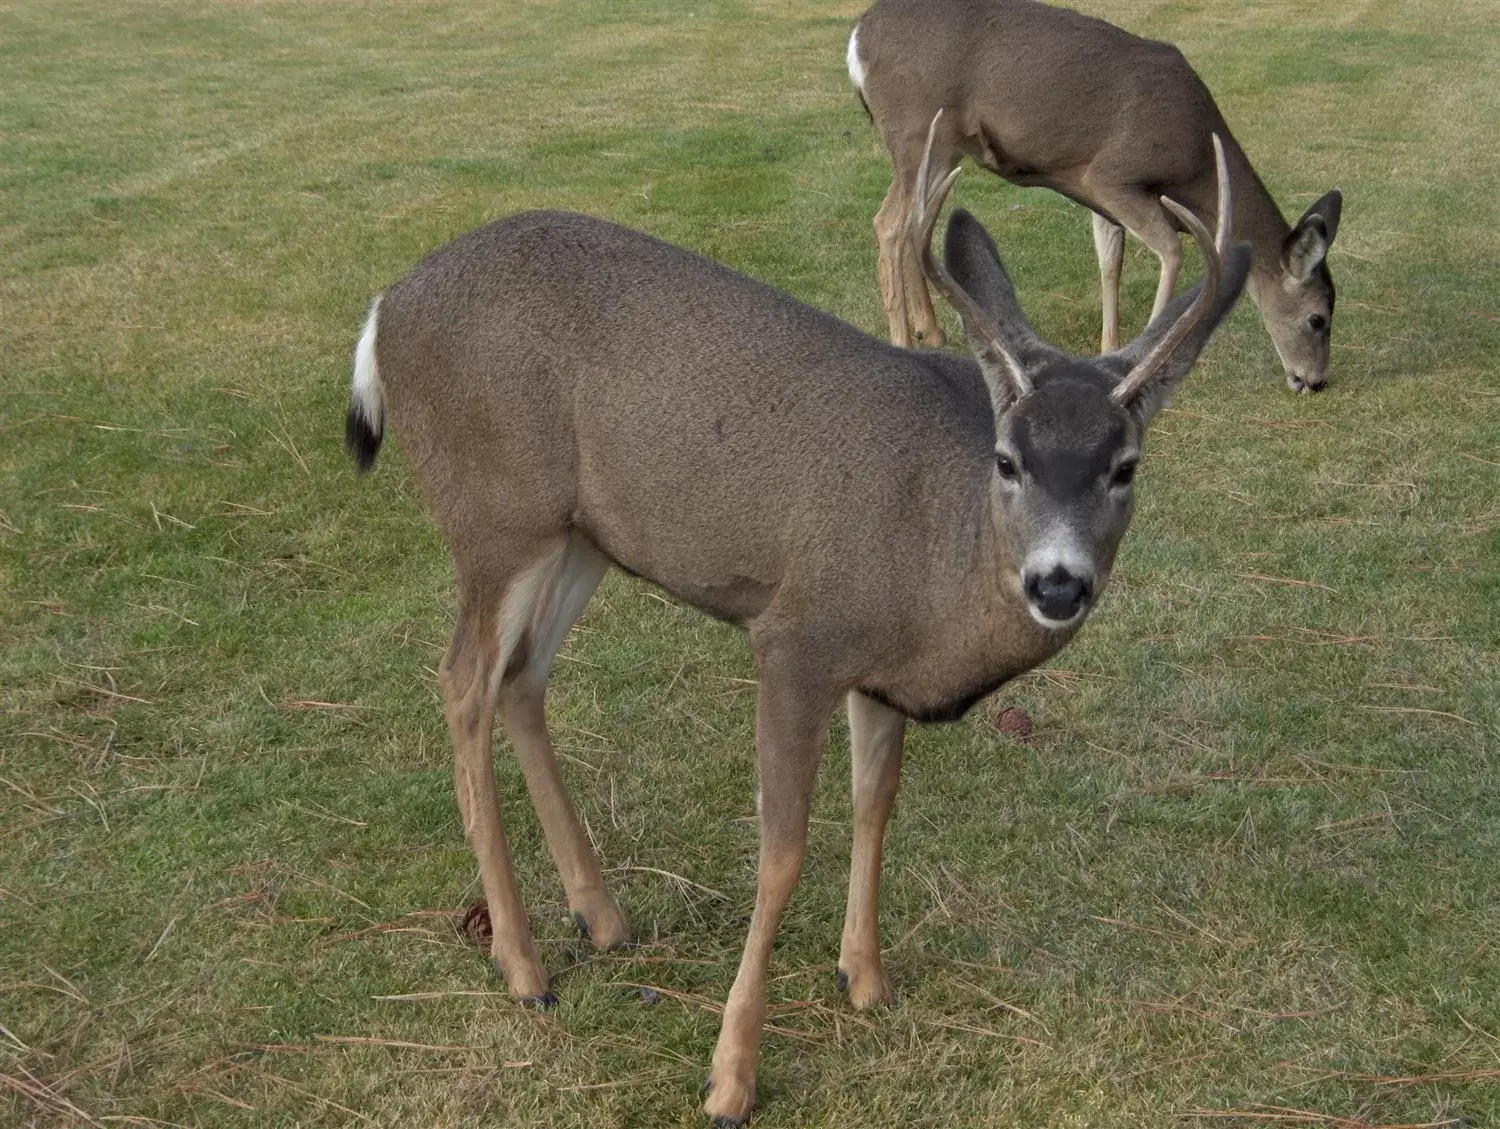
column 1064, row 466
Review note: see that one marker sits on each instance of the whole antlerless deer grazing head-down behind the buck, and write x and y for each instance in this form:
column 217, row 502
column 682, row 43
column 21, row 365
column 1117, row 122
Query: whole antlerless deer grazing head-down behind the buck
column 1048, row 97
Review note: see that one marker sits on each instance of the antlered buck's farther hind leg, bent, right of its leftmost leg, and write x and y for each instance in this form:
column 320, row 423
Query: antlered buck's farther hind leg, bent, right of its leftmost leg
column 523, row 708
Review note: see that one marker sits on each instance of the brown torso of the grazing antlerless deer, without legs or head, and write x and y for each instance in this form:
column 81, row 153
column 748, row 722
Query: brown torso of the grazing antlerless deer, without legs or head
column 1039, row 94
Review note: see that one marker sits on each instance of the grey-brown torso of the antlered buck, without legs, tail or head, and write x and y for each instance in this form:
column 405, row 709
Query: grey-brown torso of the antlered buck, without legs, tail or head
column 704, row 430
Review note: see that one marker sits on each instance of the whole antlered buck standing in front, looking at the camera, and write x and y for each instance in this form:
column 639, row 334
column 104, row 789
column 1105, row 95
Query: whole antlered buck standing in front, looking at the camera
column 899, row 530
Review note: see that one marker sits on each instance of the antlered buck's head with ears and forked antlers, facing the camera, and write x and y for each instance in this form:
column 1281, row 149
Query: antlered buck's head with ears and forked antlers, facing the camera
column 1069, row 430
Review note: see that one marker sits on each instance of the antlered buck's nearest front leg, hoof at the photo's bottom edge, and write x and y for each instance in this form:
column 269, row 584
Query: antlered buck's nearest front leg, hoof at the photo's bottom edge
column 790, row 737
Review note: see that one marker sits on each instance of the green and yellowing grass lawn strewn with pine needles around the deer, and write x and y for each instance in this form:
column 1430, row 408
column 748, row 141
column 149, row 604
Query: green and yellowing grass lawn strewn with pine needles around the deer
column 1243, row 873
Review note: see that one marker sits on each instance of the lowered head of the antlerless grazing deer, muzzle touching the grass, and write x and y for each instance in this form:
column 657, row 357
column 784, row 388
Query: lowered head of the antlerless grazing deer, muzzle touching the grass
column 1298, row 305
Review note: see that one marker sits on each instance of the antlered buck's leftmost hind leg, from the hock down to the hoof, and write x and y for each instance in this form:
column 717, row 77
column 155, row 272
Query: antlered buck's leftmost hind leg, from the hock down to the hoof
column 469, row 675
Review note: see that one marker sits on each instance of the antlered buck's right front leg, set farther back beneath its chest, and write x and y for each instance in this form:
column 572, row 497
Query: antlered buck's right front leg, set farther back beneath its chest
column 877, row 735
